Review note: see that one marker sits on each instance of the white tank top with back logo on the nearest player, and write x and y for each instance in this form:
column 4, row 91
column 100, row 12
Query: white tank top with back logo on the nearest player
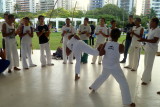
column 112, row 55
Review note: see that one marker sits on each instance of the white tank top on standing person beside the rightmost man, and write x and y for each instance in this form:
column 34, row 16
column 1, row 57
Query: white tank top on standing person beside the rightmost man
column 137, row 31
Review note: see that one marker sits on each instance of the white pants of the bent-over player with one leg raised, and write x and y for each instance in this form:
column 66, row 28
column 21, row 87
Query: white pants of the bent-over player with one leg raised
column 77, row 51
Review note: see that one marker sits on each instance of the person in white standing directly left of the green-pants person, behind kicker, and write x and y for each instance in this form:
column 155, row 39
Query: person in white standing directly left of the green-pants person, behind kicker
column 67, row 30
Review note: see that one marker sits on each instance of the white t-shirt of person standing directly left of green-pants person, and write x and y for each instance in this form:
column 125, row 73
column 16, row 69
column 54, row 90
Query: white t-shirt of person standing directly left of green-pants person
column 70, row 30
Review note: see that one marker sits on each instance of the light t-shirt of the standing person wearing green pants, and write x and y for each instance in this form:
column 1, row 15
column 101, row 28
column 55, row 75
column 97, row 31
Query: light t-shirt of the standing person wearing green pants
column 83, row 28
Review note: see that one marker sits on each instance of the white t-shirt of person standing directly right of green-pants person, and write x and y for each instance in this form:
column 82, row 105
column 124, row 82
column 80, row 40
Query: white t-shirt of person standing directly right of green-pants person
column 100, row 37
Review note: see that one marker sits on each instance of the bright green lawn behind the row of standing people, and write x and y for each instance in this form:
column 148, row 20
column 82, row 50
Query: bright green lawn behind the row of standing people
column 55, row 39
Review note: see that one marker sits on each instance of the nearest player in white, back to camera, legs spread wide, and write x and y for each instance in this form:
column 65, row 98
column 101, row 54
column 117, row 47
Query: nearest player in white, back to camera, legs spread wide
column 111, row 51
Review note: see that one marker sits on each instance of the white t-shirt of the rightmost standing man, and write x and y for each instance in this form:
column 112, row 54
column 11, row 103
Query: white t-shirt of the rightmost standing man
column 153, row 33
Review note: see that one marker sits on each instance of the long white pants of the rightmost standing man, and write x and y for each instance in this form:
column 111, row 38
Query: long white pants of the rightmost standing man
column 148, row 64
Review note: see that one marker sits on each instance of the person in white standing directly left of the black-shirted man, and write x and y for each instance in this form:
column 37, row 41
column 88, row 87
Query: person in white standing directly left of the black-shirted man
column 26, row 43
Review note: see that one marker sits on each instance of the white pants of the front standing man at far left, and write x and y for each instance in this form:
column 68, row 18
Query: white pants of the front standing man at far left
column 11, row 52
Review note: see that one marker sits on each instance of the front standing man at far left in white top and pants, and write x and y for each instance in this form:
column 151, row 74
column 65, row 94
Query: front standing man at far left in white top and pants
column 9, row 33
